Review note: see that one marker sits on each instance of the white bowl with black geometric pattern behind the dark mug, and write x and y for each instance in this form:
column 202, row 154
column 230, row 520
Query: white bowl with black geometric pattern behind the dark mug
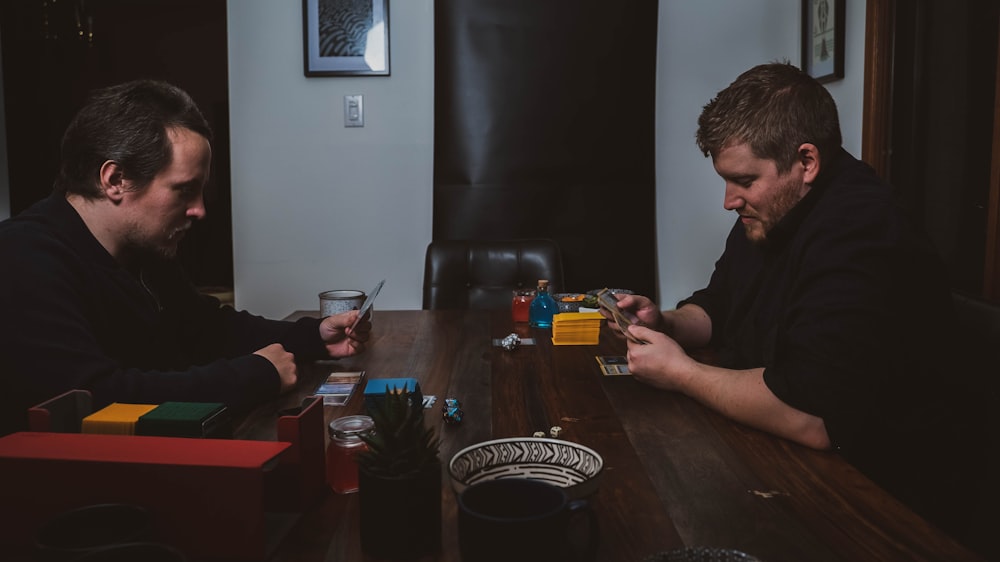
column 571, row 466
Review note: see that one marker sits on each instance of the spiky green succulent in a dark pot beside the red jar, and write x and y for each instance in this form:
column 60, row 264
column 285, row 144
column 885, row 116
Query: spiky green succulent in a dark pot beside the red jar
column 399, row 479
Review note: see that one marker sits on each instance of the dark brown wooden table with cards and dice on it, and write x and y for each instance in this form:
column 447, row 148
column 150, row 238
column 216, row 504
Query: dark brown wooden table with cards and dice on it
column 676, row 474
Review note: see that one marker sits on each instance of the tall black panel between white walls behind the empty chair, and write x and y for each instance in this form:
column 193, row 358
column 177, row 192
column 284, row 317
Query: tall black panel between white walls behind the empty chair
column 544, row 128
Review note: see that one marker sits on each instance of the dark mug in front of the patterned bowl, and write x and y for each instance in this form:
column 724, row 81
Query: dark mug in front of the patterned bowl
column 525, row 520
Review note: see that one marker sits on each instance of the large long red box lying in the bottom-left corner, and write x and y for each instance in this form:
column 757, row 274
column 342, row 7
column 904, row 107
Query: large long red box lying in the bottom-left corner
column 207, row 496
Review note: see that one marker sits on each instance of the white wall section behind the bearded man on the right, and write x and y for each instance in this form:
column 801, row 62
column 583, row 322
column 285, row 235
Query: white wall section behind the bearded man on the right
column 703, row 46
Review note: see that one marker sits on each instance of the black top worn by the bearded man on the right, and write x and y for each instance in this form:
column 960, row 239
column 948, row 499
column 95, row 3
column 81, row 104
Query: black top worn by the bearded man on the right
column 847, row 307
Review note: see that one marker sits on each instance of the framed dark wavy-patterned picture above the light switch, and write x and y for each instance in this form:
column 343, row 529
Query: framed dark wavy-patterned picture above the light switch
column 346, row 37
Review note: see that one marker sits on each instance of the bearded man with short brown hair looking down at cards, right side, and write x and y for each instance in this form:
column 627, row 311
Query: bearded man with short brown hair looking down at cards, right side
column 828, row 308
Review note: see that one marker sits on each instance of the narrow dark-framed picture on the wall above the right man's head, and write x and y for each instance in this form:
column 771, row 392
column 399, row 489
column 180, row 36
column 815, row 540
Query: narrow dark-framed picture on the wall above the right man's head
column 823, row 39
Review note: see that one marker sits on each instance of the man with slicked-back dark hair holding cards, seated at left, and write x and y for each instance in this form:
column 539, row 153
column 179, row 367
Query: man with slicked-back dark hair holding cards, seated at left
column 91, row 297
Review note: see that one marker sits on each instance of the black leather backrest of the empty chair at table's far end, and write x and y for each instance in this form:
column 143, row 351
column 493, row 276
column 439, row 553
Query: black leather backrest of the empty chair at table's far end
column 461, row 274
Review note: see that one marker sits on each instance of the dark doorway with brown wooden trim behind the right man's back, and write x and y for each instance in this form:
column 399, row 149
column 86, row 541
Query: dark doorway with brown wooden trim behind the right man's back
column 932, row 125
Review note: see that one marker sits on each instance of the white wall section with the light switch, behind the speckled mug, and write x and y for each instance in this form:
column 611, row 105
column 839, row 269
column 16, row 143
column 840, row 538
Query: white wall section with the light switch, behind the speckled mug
column 315, row 205
